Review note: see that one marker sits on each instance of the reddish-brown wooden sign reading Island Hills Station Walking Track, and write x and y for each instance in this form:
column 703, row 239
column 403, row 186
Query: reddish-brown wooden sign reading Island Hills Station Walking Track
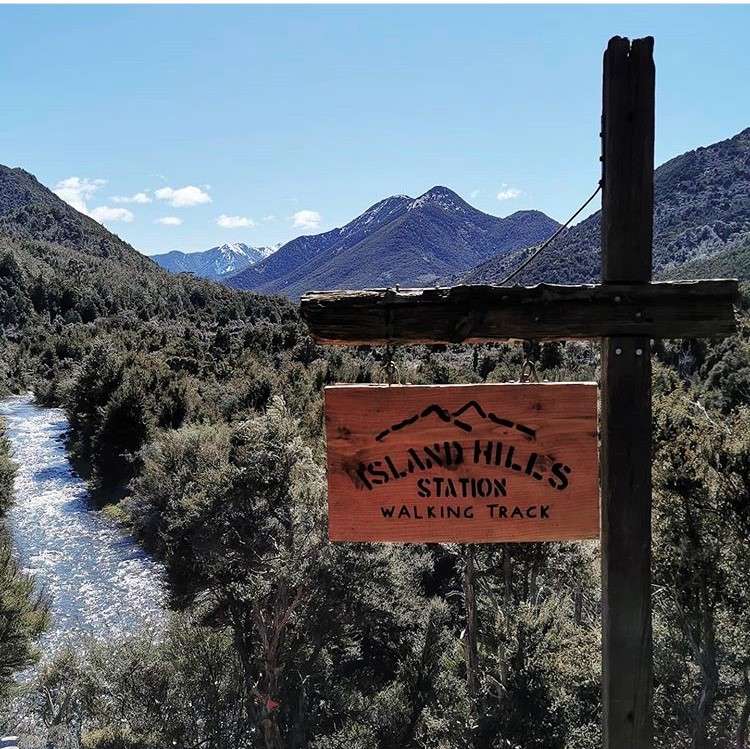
column 454, row 463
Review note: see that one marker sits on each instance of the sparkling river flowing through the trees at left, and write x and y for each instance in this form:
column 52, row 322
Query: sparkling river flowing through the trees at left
column 99, row 581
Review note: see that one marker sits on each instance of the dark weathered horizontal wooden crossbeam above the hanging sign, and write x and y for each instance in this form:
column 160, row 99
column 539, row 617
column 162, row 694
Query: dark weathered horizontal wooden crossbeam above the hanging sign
column 474, row 314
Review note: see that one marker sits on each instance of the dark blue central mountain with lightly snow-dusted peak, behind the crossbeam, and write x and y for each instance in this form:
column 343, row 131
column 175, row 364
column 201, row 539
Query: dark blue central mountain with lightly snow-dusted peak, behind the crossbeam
column 409, row 241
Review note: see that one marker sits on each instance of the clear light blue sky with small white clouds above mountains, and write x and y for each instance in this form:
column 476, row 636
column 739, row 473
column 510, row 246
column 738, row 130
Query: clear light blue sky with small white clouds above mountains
column 181, row 127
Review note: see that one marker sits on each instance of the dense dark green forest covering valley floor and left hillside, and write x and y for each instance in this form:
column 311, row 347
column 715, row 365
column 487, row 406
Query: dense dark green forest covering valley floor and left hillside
column 196, row 416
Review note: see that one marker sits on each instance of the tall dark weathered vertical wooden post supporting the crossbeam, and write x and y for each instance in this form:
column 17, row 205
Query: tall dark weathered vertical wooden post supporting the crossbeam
column 625, row 459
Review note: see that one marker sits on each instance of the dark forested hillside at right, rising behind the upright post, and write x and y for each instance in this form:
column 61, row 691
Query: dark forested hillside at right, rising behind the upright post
column 702, row 212
